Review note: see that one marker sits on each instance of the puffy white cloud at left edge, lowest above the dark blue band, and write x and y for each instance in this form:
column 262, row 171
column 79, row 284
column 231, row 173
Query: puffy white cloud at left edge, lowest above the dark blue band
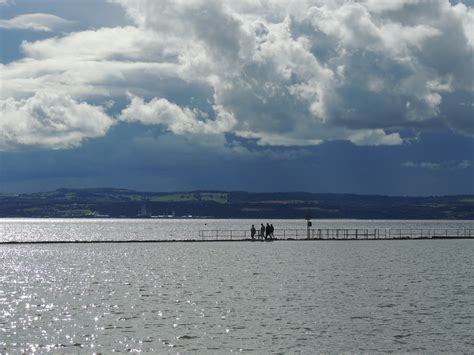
column 49, row 120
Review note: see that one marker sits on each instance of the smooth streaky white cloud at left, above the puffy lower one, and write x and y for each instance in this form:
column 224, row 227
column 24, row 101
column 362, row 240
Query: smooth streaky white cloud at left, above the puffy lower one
column 106, row 62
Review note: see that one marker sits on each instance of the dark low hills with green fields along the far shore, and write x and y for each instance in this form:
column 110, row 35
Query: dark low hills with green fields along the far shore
column 124, row 203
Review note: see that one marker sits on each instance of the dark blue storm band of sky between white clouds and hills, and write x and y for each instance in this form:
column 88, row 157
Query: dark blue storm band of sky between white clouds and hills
column 134, row 156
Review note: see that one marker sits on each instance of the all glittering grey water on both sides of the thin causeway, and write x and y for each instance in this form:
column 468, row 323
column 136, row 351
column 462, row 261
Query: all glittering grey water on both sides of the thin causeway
column 284, row 297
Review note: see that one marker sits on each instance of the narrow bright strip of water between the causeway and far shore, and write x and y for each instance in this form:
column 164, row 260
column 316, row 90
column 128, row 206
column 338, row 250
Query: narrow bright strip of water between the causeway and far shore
column 24, row 229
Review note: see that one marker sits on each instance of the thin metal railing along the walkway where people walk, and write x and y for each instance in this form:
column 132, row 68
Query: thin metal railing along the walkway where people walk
column 339, row 234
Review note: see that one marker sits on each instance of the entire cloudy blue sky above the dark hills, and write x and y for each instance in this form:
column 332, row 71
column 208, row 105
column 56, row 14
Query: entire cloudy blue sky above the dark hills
column 364, row 97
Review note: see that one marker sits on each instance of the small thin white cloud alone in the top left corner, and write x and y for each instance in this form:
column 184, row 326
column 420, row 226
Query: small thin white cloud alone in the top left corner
column 34, row 22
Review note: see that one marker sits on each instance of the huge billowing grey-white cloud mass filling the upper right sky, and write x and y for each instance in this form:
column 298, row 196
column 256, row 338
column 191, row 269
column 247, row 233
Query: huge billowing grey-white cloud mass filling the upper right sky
column 358, row 66
